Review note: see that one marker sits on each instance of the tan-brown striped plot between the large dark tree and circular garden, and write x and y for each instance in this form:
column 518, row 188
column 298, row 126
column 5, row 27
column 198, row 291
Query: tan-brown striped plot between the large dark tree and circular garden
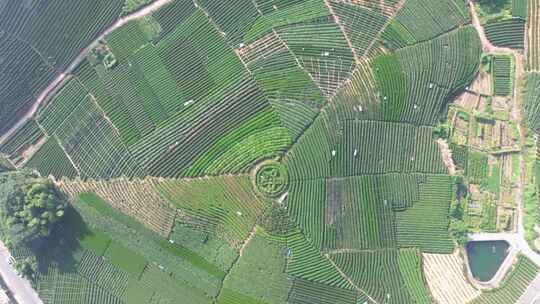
column 136, row 198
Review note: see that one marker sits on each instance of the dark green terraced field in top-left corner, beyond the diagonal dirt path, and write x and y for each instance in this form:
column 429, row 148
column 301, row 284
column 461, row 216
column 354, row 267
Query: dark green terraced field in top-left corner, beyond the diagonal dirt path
column 41, row 38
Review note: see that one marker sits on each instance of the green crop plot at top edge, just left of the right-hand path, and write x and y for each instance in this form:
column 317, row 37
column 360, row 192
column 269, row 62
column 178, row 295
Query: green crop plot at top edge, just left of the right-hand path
column 420, row 20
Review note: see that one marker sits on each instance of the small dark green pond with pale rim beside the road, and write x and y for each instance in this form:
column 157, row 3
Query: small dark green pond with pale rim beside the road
column 485, row 258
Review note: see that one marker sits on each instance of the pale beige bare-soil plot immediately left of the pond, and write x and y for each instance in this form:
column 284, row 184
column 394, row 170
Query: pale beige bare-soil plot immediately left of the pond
column 446, row 279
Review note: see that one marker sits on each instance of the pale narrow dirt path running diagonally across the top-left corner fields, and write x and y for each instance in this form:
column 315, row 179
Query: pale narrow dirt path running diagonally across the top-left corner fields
column 141, row 13
